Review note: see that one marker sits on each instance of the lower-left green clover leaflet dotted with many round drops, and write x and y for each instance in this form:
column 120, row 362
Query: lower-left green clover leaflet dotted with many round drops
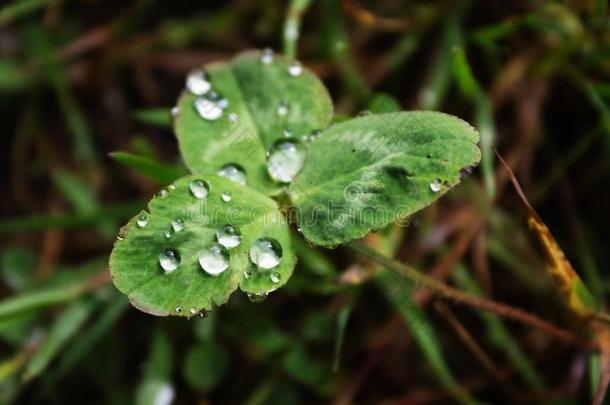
column 188, row 290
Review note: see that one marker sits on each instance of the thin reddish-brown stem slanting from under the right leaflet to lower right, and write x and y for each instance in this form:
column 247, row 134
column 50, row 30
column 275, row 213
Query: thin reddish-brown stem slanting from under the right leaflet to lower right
column 461, row 297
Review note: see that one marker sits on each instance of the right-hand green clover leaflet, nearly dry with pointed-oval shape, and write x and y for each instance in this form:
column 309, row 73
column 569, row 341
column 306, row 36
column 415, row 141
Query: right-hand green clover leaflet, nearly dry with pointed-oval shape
column 368, row 172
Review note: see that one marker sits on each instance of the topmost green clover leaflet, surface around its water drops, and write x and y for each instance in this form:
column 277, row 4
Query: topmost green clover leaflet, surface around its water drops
column 254, row 91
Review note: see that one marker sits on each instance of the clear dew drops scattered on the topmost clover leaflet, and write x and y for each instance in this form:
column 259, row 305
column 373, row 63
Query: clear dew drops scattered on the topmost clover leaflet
column 285, row 157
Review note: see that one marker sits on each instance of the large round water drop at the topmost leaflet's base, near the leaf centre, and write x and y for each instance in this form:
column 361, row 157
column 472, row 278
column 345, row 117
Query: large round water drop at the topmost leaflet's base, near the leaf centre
column 286, row 158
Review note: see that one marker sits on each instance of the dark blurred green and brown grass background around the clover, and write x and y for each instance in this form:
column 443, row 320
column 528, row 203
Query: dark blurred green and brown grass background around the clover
column 80, row 79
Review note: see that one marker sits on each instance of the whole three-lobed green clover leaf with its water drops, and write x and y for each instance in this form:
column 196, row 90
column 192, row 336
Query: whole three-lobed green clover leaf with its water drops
column 257, row 127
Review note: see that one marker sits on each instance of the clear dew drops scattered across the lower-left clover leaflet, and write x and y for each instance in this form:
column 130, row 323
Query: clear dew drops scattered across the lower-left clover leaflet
column 264, row 253
